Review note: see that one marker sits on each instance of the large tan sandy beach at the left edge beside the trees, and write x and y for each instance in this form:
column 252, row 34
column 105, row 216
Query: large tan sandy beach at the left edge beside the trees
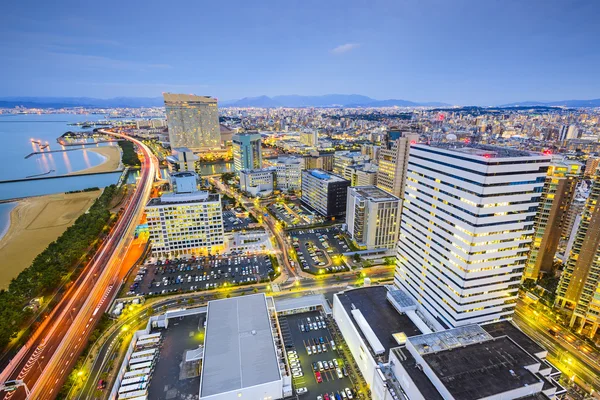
column 36, row 222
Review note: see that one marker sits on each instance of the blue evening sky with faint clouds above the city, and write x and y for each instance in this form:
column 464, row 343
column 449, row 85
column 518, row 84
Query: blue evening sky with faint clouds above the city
column 460, row 52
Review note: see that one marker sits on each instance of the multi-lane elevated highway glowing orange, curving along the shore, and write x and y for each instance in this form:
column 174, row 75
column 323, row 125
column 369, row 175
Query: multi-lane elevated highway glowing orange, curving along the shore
column 46, row 361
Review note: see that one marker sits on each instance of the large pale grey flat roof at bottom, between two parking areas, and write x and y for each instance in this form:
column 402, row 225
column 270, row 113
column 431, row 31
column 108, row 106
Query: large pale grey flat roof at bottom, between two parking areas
column 239, row 349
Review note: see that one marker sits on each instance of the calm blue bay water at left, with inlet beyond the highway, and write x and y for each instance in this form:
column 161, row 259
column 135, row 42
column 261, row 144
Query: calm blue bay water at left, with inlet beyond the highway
column 23, row 134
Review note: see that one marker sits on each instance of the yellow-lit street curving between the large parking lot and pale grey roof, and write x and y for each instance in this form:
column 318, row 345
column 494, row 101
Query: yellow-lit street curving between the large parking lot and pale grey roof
column 110, row 347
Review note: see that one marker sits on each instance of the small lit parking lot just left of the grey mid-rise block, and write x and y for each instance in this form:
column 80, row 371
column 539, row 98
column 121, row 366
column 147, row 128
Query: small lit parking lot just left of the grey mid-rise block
column 319, row 250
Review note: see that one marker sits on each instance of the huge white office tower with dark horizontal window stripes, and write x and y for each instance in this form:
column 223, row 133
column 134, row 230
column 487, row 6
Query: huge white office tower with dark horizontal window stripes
column 466, row 225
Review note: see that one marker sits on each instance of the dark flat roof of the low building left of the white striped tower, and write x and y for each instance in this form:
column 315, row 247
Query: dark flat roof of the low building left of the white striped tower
column 381, row 316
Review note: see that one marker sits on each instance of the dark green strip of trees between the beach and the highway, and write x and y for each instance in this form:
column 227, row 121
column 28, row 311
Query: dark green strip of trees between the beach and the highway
column 53, row 265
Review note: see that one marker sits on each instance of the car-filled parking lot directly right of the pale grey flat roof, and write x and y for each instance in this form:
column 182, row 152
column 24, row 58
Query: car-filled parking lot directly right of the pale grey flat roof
column 310, row 348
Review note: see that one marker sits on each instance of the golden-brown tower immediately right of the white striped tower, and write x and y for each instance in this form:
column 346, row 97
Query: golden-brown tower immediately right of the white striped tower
column 557, row 196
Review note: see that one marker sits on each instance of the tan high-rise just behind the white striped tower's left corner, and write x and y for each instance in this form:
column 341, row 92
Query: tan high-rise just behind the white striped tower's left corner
column 393, row 161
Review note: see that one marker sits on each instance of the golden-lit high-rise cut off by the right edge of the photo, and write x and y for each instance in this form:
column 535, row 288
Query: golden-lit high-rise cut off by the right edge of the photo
column 579, row 283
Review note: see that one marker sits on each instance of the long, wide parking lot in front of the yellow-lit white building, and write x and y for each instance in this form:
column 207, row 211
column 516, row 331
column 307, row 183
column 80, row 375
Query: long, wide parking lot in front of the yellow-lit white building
column 202, row 273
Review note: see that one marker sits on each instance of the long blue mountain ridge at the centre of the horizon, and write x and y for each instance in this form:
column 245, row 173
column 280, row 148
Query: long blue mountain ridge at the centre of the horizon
column 328, row 100
